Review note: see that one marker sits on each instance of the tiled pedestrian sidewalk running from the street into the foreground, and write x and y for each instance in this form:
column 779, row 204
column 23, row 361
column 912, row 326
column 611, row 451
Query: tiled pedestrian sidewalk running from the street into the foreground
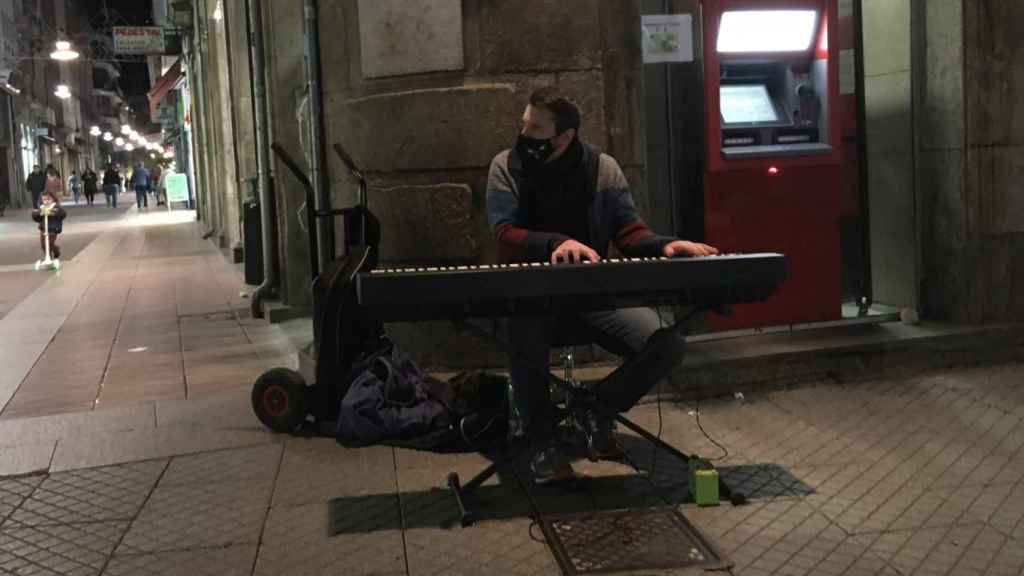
column 127, row 446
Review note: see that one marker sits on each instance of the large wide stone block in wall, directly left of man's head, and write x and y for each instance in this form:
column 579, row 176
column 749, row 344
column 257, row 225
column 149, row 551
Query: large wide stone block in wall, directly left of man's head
column 431, row 130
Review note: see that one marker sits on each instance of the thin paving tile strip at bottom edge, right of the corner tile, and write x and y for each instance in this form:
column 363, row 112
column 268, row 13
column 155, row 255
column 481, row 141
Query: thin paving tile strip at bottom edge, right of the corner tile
column 233, row 561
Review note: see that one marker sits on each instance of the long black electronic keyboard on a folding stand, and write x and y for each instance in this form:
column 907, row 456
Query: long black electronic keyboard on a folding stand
column 539, row 289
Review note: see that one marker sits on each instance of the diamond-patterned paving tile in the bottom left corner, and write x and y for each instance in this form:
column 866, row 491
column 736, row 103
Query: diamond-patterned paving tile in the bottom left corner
column 80, row 550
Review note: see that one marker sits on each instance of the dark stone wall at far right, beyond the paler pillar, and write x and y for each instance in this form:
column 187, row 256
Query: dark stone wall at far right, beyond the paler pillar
column 972, row 160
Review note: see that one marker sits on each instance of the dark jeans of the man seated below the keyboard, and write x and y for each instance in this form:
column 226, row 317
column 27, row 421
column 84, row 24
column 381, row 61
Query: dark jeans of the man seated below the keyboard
column 622, row 333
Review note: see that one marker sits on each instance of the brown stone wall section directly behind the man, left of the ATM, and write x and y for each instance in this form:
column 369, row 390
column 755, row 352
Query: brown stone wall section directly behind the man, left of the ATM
column 425, row 124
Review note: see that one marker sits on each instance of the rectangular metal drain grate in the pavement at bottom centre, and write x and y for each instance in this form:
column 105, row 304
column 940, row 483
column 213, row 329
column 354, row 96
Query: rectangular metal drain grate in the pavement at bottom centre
column 605, row 543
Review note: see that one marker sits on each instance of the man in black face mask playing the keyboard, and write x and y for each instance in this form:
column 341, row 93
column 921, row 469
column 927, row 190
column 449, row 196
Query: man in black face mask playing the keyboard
column 553, row 197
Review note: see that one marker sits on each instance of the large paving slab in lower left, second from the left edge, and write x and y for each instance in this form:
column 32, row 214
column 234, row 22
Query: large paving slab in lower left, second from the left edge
column 181, row 517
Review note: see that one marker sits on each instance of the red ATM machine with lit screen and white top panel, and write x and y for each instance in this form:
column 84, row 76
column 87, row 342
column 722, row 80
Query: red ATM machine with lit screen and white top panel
column 773, row 172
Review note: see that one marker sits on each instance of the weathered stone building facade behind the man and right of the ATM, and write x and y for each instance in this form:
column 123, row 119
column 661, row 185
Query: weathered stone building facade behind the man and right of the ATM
column 942, row 91
